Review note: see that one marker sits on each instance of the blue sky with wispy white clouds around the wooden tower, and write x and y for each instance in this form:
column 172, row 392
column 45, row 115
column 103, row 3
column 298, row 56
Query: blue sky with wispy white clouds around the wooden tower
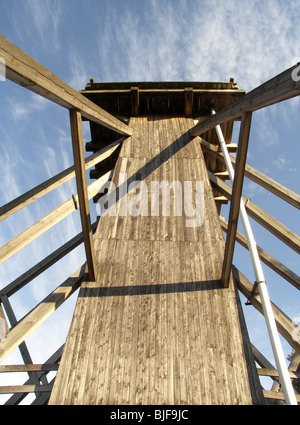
column 140, row 40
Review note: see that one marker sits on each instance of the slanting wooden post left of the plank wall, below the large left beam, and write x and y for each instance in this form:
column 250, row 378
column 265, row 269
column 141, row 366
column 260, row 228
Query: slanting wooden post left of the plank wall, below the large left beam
column 80, row 172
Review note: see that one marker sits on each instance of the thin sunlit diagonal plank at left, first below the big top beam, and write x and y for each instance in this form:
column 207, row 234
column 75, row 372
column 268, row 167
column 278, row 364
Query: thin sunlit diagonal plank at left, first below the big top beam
column 54, row 182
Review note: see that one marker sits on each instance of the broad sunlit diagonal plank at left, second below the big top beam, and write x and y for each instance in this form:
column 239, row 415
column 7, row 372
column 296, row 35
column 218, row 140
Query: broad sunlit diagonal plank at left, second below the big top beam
column 48, row 221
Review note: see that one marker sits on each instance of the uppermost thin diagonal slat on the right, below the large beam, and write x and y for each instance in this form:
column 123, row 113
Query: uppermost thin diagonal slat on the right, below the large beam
column 266, row 182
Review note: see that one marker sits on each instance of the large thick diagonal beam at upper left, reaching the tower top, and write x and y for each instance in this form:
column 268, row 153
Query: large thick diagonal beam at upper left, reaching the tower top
column 24, row 70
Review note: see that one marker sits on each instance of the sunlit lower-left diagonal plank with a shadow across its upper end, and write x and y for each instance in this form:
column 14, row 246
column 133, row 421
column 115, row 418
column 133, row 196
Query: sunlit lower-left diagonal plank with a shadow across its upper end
column 40, row 313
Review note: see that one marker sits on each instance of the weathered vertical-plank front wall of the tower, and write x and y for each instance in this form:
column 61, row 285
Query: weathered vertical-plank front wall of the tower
column 157, row 326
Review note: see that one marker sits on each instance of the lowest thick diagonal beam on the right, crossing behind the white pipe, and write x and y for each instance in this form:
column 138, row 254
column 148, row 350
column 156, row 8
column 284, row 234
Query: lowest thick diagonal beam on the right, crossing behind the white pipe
column 284, row 324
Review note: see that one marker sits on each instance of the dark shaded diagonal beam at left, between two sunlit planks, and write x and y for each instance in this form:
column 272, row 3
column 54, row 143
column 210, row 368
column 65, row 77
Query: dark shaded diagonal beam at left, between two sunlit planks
column 43, row 265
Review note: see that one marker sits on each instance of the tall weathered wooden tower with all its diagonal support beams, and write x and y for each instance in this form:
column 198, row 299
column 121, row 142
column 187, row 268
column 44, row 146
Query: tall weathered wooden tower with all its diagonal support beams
column 156, row 319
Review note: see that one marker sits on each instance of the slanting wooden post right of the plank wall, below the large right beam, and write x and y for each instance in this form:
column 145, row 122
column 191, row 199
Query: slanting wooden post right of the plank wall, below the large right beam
column 236, row 196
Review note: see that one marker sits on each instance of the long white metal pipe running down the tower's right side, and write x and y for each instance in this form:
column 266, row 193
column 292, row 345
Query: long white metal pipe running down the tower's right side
column 284, row 377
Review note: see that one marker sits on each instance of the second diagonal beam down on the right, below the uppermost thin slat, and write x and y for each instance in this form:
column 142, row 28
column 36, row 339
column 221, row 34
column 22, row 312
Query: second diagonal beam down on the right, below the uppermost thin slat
column 259, row 215
